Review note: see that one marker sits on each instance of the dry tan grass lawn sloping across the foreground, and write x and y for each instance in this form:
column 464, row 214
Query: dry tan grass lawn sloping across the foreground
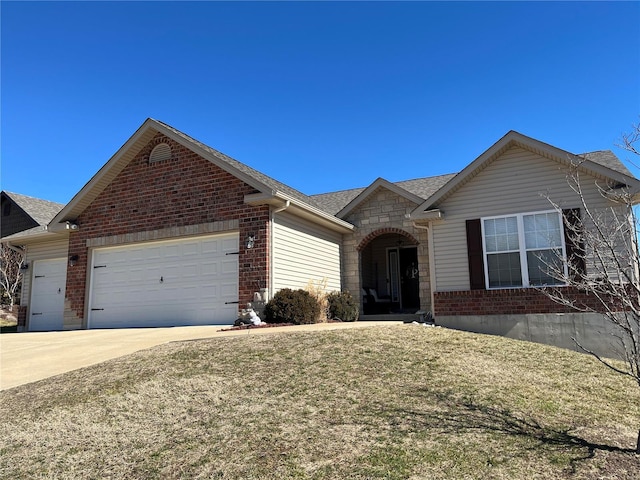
column 389, row 402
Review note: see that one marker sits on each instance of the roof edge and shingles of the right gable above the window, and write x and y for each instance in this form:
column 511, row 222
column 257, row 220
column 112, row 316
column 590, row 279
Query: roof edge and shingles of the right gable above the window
column 603, row 164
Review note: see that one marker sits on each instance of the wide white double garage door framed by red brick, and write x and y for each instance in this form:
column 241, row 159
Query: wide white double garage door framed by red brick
column 181, row 282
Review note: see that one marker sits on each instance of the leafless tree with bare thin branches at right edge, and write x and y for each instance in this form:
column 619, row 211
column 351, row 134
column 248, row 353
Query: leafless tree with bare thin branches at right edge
column 603, row 266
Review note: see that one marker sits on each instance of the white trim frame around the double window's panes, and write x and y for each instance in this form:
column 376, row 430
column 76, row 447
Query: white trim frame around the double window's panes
column 522, row 250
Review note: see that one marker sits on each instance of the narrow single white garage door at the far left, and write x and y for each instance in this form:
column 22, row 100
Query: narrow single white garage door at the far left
column 46, row 309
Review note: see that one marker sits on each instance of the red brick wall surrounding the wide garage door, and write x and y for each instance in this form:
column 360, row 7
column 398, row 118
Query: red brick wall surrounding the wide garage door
column 181, row 191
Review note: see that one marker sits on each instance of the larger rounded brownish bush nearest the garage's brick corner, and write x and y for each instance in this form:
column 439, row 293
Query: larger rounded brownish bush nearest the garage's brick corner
column 292, row 306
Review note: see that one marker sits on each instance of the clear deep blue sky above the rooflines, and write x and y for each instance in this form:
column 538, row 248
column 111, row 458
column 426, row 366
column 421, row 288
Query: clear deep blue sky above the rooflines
column 322, row 96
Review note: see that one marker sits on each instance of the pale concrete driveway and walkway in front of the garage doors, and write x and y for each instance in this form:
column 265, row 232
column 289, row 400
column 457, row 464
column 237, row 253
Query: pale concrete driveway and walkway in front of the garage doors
column 31, row 356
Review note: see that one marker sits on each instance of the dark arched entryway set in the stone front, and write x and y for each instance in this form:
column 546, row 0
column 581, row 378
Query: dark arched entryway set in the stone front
column 389, row 272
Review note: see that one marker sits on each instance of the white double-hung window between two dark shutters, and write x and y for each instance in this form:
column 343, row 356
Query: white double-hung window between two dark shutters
column 523, row 250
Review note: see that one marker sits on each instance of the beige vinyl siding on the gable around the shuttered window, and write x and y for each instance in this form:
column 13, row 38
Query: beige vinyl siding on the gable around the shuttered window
column 516, row 182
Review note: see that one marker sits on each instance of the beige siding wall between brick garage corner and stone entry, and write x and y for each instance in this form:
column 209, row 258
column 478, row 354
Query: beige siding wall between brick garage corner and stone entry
column 303, row 251
